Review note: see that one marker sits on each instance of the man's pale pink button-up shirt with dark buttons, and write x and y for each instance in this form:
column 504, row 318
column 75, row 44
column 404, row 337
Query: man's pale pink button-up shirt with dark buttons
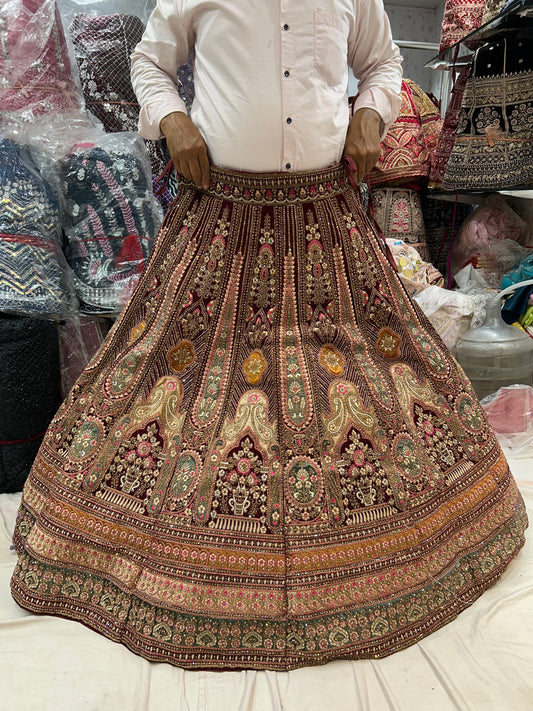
column 270, row 76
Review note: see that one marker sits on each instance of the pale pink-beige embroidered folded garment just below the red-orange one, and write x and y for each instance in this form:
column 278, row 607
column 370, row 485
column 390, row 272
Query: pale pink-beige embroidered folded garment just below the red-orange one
column 398, row 211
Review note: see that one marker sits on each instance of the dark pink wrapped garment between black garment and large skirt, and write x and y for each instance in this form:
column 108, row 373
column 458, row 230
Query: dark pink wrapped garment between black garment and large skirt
column 80, row 338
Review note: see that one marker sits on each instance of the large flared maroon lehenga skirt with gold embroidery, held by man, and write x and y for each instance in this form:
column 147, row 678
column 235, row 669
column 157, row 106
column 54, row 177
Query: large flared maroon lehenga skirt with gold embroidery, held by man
column 273, row 461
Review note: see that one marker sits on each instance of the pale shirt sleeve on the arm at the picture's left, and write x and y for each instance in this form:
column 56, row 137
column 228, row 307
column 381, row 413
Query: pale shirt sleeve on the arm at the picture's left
column 164, row 47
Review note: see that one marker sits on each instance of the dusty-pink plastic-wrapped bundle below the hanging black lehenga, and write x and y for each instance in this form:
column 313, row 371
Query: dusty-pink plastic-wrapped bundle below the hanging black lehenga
column 490, row 240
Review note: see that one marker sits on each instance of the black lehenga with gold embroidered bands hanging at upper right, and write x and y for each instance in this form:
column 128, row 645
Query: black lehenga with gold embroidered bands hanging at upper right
column 493, row 147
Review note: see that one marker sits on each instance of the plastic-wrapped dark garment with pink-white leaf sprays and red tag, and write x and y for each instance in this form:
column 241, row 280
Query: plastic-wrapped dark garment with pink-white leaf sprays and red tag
column 109, row 213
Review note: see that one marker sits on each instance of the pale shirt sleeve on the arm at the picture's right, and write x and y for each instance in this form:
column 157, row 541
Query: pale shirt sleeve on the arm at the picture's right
column 376, row 61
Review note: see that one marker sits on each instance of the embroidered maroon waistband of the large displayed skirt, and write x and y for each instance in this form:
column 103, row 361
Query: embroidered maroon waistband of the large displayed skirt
column 276, row 188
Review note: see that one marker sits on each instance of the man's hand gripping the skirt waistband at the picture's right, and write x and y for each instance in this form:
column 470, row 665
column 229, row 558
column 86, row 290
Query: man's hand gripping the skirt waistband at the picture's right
column 362, row 141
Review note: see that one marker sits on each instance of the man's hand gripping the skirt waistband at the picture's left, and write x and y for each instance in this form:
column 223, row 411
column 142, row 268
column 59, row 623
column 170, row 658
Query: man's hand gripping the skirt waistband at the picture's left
column 187, row 148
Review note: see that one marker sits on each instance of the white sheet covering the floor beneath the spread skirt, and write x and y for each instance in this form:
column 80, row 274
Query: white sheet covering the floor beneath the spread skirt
column 482, row 661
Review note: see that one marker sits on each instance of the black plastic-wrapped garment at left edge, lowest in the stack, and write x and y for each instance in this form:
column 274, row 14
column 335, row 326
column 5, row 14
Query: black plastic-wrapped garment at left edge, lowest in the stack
column 29, row 393
